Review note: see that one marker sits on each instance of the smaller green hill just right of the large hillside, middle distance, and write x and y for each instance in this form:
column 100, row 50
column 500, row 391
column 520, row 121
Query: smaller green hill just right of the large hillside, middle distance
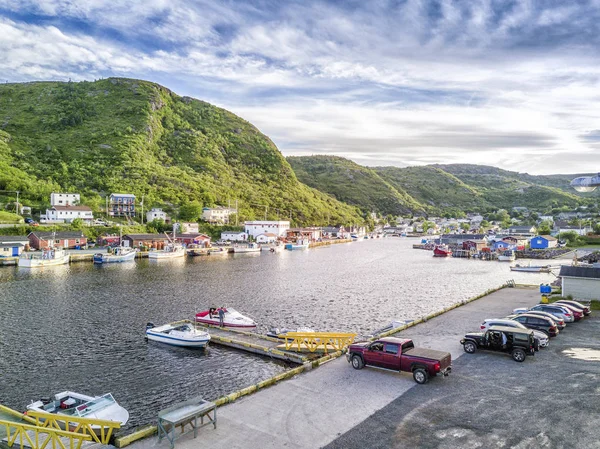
column 353, row 184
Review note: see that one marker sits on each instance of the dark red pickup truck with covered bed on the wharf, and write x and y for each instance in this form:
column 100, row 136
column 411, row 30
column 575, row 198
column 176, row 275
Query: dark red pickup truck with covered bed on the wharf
column 400, row 355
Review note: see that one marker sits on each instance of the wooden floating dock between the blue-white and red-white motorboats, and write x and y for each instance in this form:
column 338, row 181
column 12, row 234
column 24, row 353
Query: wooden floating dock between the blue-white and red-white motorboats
column 257, row 344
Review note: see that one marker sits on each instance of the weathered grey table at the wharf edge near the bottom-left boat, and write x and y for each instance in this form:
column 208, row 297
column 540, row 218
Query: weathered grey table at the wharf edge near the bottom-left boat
column 185, row 413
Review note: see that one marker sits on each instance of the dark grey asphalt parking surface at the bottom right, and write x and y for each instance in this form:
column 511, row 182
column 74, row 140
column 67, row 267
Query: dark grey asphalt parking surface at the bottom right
column 490, row 401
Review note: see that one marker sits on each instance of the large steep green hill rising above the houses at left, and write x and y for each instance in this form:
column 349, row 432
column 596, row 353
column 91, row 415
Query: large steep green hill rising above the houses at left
column 131, row 136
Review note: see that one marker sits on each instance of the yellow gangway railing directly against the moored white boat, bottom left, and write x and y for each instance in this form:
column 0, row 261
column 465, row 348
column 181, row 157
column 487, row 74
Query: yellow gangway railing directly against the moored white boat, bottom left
column 78, row 425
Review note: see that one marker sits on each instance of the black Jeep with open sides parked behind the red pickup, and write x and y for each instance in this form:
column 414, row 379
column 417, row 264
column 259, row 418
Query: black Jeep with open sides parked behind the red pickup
column 517, row 342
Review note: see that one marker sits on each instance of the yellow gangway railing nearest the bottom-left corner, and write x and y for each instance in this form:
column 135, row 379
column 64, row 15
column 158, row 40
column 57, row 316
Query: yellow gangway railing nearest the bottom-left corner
column 39, row 438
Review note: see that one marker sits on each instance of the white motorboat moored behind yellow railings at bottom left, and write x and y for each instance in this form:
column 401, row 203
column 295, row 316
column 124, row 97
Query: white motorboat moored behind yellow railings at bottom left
column 80, row 405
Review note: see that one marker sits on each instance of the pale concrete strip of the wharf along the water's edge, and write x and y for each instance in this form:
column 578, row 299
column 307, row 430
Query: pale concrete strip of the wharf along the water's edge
column 313, row 409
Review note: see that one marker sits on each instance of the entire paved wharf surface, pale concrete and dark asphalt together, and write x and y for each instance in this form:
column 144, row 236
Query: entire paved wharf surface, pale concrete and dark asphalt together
column 488, row 401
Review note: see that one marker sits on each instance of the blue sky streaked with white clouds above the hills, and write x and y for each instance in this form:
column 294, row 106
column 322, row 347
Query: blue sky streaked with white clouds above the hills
column 513, row 84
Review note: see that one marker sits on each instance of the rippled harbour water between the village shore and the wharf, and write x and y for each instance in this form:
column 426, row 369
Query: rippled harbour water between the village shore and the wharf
column 81, row 327
